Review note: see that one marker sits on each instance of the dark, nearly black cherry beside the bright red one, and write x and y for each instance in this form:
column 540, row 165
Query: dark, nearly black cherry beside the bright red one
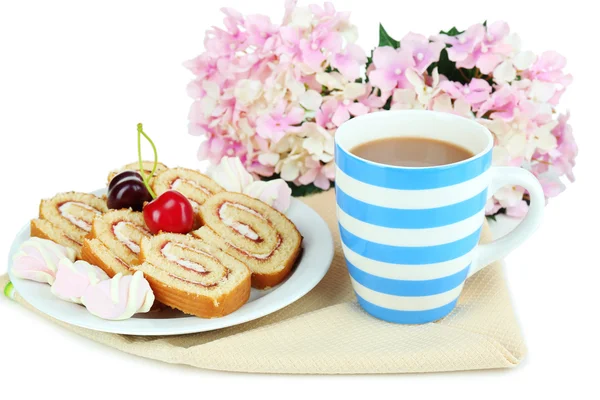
column 127, row 190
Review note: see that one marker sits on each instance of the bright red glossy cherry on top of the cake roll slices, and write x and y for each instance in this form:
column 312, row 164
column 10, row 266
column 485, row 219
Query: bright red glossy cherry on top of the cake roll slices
column 169, row 212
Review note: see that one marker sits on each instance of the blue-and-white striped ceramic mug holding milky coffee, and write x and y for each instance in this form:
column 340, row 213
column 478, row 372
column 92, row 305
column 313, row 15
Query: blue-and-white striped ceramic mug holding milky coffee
column 410, row 235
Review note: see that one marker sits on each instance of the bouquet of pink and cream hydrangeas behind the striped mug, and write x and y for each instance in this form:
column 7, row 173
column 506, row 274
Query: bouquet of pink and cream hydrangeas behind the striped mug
column 273, row 94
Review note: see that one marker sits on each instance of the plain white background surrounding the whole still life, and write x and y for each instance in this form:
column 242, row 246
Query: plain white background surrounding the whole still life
column 76, row 77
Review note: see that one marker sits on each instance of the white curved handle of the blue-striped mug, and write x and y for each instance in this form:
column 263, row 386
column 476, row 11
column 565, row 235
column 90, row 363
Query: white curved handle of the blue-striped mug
column 486, row 254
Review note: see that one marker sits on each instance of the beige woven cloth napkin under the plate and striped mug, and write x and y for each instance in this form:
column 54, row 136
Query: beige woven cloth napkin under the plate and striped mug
column 326, row 332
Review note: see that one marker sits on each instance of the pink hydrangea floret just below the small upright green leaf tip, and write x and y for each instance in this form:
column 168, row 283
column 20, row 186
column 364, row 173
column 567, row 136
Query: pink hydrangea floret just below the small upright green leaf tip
column 391, row 65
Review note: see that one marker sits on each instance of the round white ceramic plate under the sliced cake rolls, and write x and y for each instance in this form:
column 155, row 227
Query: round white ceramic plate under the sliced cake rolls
column 311, row 268
